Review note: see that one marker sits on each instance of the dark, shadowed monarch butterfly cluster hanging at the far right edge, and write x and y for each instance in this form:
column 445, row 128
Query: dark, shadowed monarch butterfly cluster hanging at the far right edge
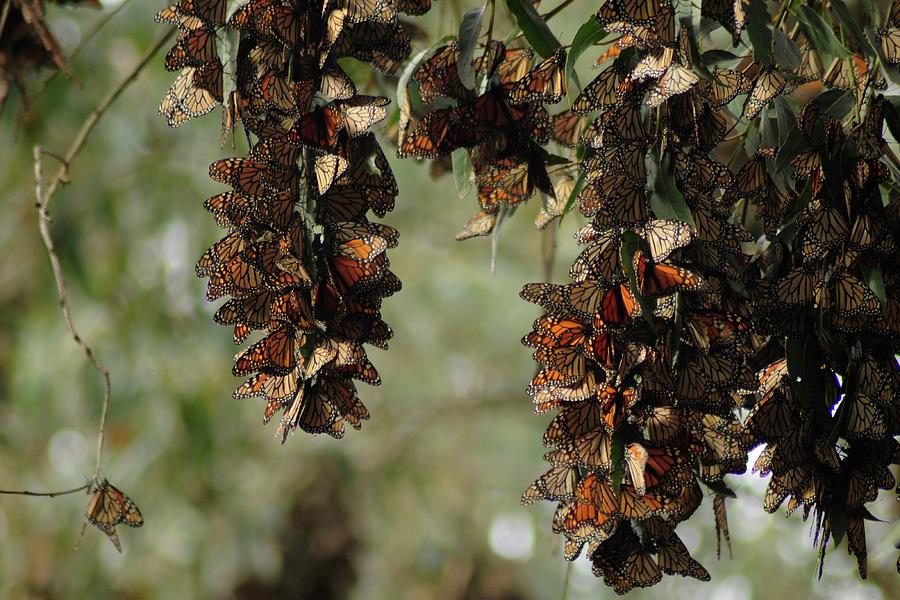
column 830, row 441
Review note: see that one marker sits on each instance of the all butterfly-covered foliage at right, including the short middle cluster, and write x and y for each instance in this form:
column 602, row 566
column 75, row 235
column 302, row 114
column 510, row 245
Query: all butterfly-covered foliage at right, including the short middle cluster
column 739, row 281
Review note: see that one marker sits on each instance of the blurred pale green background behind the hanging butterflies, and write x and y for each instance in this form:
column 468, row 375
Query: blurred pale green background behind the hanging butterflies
column 423, row 503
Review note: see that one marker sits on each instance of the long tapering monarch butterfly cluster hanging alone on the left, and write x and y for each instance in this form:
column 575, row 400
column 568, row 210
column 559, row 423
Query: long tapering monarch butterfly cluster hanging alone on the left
column 301, row 262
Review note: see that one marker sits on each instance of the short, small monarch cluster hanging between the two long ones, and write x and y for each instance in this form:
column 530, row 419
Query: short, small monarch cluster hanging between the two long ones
column 503, row 123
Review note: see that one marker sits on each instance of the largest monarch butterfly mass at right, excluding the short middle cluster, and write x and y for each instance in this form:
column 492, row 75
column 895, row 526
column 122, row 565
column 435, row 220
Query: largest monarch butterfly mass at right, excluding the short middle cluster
column 650, row 354
